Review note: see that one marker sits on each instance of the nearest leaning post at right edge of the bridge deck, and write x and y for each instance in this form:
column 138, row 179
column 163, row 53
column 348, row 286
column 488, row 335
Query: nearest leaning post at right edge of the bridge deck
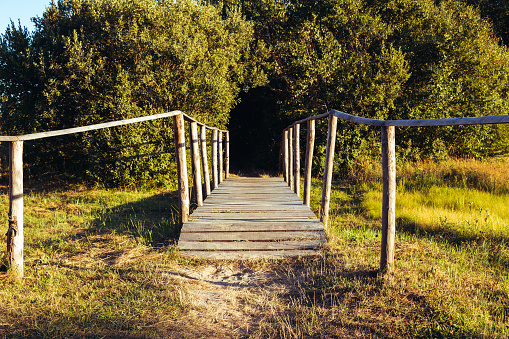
column 329, row 164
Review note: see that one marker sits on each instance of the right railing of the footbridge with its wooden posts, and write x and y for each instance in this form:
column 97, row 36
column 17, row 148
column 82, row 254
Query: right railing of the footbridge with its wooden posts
column 291, row 163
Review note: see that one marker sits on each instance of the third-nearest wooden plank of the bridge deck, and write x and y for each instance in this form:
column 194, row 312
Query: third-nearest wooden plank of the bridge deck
column 251, row 236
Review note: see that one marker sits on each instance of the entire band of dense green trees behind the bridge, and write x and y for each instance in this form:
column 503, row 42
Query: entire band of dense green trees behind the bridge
column 101, row 60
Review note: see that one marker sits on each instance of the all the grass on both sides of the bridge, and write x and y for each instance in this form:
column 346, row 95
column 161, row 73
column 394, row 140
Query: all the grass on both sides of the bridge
column 98, row 264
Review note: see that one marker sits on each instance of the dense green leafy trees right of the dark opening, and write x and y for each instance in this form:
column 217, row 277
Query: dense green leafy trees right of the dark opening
column 401, row 59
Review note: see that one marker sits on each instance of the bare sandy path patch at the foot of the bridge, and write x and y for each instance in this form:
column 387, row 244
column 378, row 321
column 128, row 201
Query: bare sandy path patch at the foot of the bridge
column 227, row 298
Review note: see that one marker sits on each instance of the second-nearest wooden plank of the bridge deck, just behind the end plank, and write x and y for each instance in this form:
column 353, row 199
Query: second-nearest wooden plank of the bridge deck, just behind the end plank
column 252, row 246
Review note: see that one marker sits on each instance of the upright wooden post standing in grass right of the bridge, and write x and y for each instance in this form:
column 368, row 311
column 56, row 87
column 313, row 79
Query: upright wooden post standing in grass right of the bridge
column 389, row 197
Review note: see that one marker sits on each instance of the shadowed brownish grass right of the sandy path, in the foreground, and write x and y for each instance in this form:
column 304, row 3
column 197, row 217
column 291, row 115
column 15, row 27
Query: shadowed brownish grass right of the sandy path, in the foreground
column 354, row 302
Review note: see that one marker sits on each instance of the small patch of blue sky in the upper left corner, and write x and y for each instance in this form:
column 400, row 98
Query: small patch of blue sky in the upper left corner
column 21, row 9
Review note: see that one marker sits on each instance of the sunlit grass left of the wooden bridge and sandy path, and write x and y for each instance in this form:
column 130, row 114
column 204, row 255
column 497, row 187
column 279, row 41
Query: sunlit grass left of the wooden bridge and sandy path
column 83, row 275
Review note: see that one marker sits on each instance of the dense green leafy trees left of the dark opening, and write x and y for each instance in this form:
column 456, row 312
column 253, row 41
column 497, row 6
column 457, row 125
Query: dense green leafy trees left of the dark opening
column 103, row 60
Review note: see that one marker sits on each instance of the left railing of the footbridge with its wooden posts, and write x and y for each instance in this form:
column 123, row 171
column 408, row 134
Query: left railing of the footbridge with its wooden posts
column 199, row 160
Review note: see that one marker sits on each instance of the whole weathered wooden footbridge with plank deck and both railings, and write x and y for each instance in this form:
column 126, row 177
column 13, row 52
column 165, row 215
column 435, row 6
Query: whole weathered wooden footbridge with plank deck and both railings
column 244, row 217
